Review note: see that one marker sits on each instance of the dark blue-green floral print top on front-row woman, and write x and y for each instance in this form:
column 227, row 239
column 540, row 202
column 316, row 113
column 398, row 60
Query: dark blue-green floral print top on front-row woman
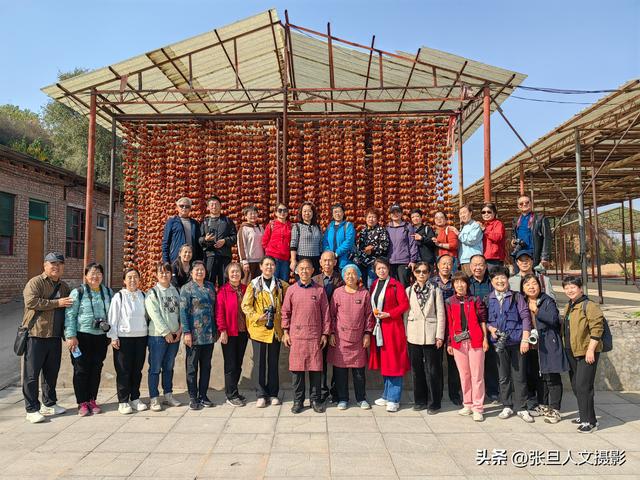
column 197, row 312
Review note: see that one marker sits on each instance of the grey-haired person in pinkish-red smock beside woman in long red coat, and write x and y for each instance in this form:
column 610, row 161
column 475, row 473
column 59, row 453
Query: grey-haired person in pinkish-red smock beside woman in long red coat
column 351, row 325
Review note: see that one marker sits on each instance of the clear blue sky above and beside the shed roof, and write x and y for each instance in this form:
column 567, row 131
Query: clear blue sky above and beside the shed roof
column 570, row 44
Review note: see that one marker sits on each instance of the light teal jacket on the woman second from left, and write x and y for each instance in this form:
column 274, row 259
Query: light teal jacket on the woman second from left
column 79, row 316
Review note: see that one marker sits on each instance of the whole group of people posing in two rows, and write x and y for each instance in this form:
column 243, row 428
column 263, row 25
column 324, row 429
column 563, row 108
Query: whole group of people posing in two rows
column 392, row 299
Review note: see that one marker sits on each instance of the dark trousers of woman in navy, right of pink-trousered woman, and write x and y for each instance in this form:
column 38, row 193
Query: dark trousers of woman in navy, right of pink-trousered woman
column 512, row 370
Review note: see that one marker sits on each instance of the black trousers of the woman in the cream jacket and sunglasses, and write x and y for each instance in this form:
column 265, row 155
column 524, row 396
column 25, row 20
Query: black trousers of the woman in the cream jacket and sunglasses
column 426, row 369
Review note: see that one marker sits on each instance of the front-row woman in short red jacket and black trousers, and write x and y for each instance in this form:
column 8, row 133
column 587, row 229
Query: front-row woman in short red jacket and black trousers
column 232, row 326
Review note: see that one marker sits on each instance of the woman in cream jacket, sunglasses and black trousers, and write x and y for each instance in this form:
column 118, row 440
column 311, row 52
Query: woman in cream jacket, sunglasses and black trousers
column 425, row 324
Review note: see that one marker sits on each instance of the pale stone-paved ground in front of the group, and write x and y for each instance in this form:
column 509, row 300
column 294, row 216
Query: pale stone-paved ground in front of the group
column 223, row 442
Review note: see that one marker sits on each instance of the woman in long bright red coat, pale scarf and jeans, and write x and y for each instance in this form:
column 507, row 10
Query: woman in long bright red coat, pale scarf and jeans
column 389, row 346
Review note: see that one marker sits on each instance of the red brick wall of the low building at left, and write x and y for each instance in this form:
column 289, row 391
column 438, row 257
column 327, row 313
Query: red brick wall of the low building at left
column 59, row 190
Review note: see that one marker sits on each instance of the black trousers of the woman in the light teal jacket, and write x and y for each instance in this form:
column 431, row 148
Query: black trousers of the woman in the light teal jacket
column 87, row 368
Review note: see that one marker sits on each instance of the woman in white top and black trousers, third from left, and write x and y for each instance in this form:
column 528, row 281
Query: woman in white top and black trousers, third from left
column 128, row 336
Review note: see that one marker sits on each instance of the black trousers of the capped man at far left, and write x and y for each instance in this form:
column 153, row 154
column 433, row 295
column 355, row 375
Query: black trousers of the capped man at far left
column 42, row 356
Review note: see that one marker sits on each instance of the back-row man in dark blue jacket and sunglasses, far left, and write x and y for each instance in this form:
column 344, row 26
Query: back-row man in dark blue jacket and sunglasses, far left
column 179, row 230
